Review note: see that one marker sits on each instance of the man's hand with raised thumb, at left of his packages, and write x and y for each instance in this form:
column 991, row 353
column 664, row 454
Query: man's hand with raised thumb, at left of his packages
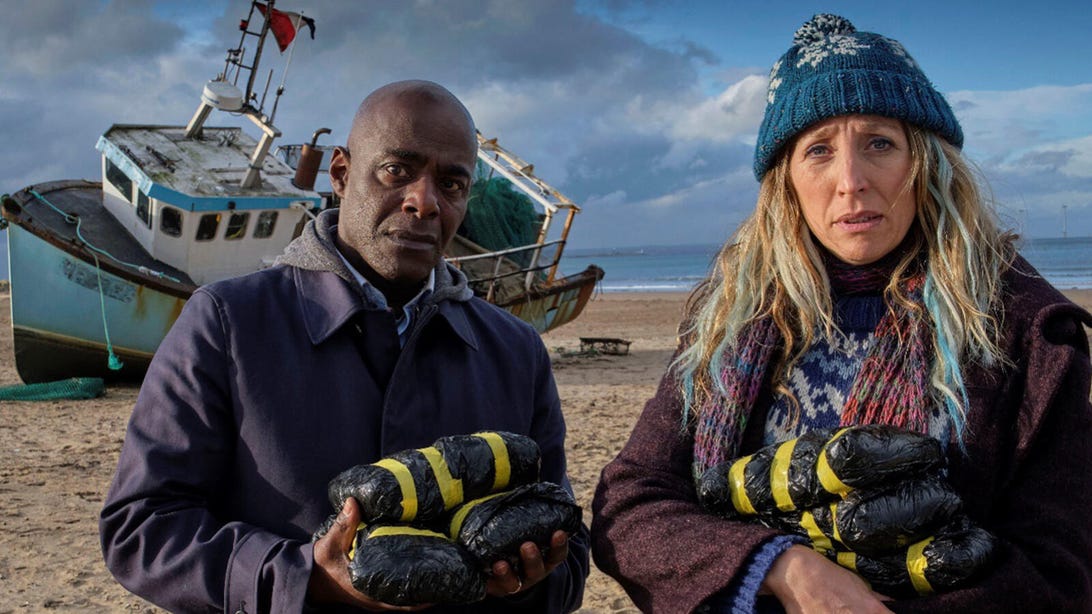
column 330, row 582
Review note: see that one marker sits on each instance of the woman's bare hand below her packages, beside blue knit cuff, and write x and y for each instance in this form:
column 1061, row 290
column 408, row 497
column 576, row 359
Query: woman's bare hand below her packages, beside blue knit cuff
column 805, row 582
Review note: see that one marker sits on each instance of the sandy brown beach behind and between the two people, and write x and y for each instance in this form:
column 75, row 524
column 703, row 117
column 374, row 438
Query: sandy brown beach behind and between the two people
column 61, row 455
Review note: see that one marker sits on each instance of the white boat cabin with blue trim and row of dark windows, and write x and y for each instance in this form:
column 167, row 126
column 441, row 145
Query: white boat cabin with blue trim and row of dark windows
column 182, row 198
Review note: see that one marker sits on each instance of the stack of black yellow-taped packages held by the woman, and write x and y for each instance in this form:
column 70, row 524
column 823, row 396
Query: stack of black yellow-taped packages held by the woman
column 873, row 499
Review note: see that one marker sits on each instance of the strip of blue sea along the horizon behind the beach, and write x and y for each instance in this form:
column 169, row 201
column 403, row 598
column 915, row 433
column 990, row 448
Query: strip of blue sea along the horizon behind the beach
column 1065, row 263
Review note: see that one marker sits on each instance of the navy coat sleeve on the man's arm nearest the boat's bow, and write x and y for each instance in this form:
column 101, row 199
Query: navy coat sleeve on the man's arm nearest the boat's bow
column 161, row 535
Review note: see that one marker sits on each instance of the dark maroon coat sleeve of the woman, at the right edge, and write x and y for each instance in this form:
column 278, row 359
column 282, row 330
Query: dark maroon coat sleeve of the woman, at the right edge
column 1041, row 513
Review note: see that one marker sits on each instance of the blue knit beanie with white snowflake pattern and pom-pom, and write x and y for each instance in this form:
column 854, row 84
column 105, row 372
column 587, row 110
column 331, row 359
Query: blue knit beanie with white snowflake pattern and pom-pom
column 832, row 70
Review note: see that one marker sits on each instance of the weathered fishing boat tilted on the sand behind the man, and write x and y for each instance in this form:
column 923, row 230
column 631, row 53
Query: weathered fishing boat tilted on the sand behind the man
column 100, row 270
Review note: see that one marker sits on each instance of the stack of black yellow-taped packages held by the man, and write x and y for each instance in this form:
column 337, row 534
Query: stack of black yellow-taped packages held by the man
column 434, row 521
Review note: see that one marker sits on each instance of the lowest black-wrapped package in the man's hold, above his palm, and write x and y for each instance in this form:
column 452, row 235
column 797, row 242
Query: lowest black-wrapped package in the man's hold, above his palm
column 402, row 565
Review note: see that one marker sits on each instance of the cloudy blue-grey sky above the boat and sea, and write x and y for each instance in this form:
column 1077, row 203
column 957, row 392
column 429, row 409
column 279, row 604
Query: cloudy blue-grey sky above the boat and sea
column 644, row 112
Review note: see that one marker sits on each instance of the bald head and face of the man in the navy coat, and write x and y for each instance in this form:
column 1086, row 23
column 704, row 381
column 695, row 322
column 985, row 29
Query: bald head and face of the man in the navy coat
column 403, row 185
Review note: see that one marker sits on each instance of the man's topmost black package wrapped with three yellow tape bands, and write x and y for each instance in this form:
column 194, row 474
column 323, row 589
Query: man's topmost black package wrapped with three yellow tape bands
column 422, row 486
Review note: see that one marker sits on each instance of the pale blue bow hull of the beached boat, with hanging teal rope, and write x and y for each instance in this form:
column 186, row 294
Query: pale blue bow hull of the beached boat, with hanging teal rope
column 70, row 305
